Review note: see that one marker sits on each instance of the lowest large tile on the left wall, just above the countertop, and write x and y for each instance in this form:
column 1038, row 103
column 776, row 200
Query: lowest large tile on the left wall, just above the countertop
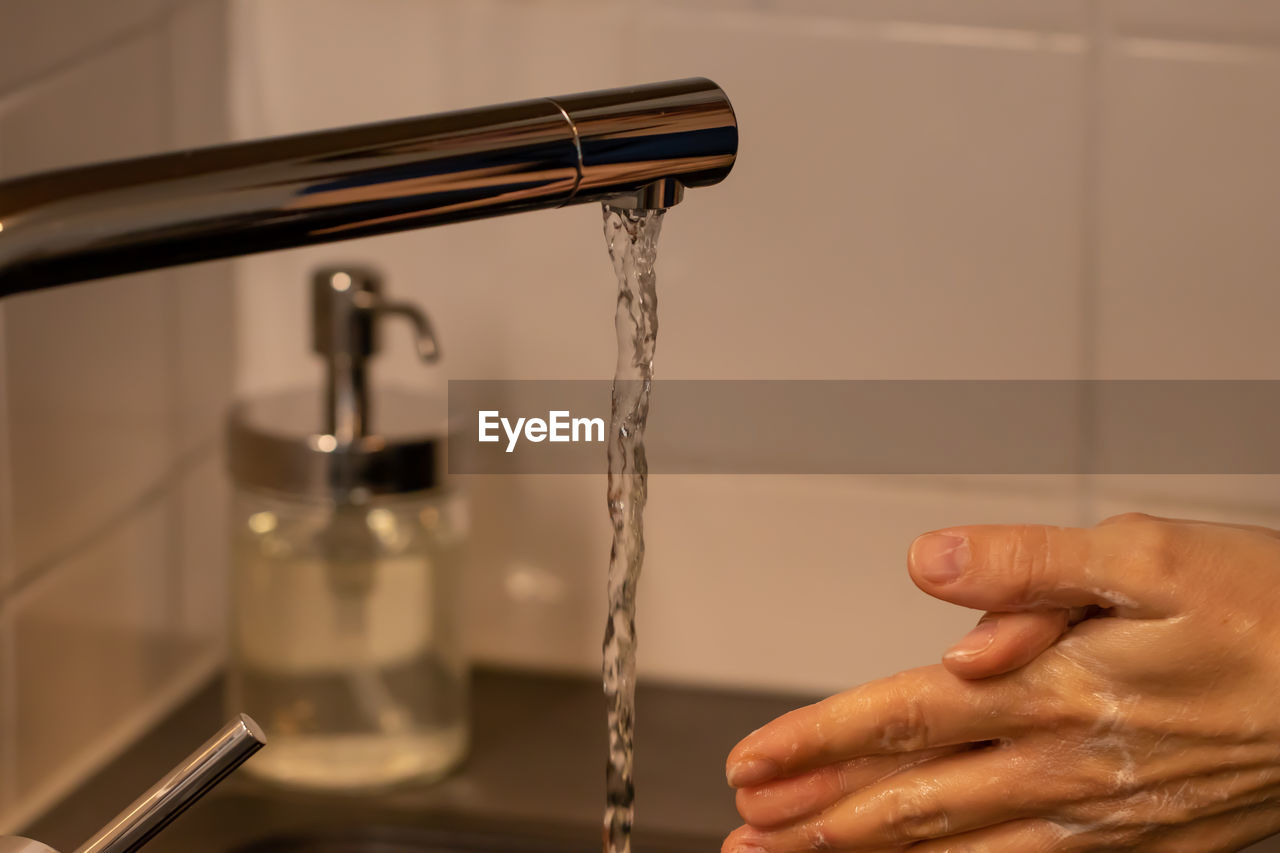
column 100, row 627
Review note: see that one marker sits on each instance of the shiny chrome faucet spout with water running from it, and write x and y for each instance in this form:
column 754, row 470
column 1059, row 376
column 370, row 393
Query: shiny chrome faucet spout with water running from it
column 638, row 148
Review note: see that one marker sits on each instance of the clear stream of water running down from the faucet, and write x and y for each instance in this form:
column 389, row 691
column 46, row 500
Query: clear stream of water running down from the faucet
column 633, row 240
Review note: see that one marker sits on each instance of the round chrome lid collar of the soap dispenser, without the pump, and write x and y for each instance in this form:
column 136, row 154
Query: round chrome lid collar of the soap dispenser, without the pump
column 280, row 444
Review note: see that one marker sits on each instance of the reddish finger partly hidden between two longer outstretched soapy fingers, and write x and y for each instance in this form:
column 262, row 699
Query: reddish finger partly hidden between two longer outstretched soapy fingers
column 787, row 800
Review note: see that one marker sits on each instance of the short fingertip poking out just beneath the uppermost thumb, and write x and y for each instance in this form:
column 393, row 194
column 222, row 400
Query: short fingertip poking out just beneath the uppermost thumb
column 1005, row 642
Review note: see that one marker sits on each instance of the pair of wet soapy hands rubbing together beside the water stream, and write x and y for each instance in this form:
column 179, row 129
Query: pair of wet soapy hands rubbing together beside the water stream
column 1156, row 727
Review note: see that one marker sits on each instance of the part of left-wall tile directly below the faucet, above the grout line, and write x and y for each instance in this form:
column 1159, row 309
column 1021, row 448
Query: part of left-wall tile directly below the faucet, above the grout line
column 93, row 425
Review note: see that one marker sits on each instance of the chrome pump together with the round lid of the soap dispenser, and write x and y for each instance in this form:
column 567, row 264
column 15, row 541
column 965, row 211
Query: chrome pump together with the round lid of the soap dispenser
column 344, row 444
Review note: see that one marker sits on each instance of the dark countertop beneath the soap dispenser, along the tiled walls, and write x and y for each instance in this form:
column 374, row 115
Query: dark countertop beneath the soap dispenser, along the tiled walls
column 536, row 772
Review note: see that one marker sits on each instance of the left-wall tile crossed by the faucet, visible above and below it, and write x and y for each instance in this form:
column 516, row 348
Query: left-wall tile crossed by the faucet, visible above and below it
column 93, row 423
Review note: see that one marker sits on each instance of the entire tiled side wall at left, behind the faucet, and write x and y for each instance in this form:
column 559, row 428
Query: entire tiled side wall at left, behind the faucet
column 109, row 404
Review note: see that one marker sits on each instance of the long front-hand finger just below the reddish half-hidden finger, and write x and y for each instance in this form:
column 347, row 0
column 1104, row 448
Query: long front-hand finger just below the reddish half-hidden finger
column 940, row 799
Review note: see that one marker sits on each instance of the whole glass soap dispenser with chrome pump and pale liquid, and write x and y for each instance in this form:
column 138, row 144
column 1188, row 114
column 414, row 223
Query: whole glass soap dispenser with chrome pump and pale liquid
column 346, row 559
